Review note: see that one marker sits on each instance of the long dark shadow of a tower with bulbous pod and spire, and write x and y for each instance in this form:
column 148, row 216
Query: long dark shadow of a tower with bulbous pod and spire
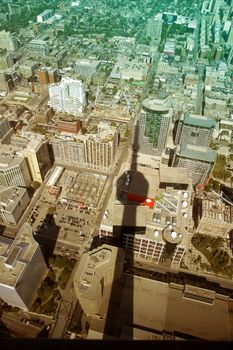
column 131, row 194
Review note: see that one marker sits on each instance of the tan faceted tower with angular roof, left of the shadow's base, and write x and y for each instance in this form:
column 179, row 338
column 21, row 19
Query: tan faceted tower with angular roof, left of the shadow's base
column 96, row 272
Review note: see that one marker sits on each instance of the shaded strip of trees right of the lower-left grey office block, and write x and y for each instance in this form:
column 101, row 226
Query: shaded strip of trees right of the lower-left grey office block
column 49, row 292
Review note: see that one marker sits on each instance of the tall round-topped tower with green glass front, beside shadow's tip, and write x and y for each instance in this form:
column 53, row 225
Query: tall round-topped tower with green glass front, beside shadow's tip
column 154, row 122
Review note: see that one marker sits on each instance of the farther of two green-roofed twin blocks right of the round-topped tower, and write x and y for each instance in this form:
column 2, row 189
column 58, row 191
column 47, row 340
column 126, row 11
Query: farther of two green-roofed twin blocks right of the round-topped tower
column 194, row 129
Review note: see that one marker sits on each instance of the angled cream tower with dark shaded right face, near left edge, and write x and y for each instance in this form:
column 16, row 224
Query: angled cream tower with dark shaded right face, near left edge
column 35, row 149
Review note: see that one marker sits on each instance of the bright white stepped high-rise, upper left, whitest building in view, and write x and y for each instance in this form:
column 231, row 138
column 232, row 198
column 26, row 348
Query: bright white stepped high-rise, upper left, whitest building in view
column 68, row 96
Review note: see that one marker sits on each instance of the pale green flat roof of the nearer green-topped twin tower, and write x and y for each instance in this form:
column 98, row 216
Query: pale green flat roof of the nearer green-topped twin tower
column 197, row 152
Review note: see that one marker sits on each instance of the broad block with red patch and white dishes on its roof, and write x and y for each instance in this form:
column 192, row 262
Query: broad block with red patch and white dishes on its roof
column 153, row 220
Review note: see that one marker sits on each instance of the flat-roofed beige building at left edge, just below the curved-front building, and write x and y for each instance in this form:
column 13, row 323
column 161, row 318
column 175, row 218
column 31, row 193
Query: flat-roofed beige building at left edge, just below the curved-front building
column 13, row 203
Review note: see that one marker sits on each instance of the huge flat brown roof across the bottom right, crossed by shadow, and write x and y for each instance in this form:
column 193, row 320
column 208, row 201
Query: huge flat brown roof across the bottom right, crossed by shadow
column 142, row 308
